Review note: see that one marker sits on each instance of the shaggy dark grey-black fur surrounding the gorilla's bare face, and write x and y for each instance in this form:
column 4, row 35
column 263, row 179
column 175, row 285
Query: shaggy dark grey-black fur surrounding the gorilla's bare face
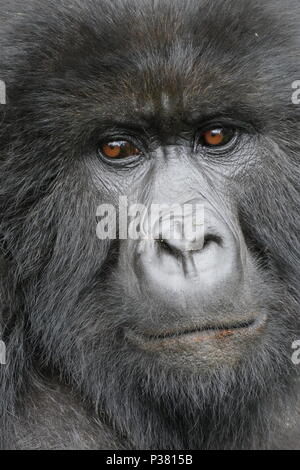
column 65, row 385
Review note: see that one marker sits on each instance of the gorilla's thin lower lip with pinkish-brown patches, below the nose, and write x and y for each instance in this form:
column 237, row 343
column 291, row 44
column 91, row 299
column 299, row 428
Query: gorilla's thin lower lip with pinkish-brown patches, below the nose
column 186, row 339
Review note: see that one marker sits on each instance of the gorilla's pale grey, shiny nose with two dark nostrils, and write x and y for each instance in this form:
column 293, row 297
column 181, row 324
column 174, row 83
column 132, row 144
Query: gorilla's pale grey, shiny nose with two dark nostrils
column 199, row 259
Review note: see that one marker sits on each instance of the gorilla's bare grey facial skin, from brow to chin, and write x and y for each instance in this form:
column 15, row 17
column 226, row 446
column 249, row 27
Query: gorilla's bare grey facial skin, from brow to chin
column 195, row 307
